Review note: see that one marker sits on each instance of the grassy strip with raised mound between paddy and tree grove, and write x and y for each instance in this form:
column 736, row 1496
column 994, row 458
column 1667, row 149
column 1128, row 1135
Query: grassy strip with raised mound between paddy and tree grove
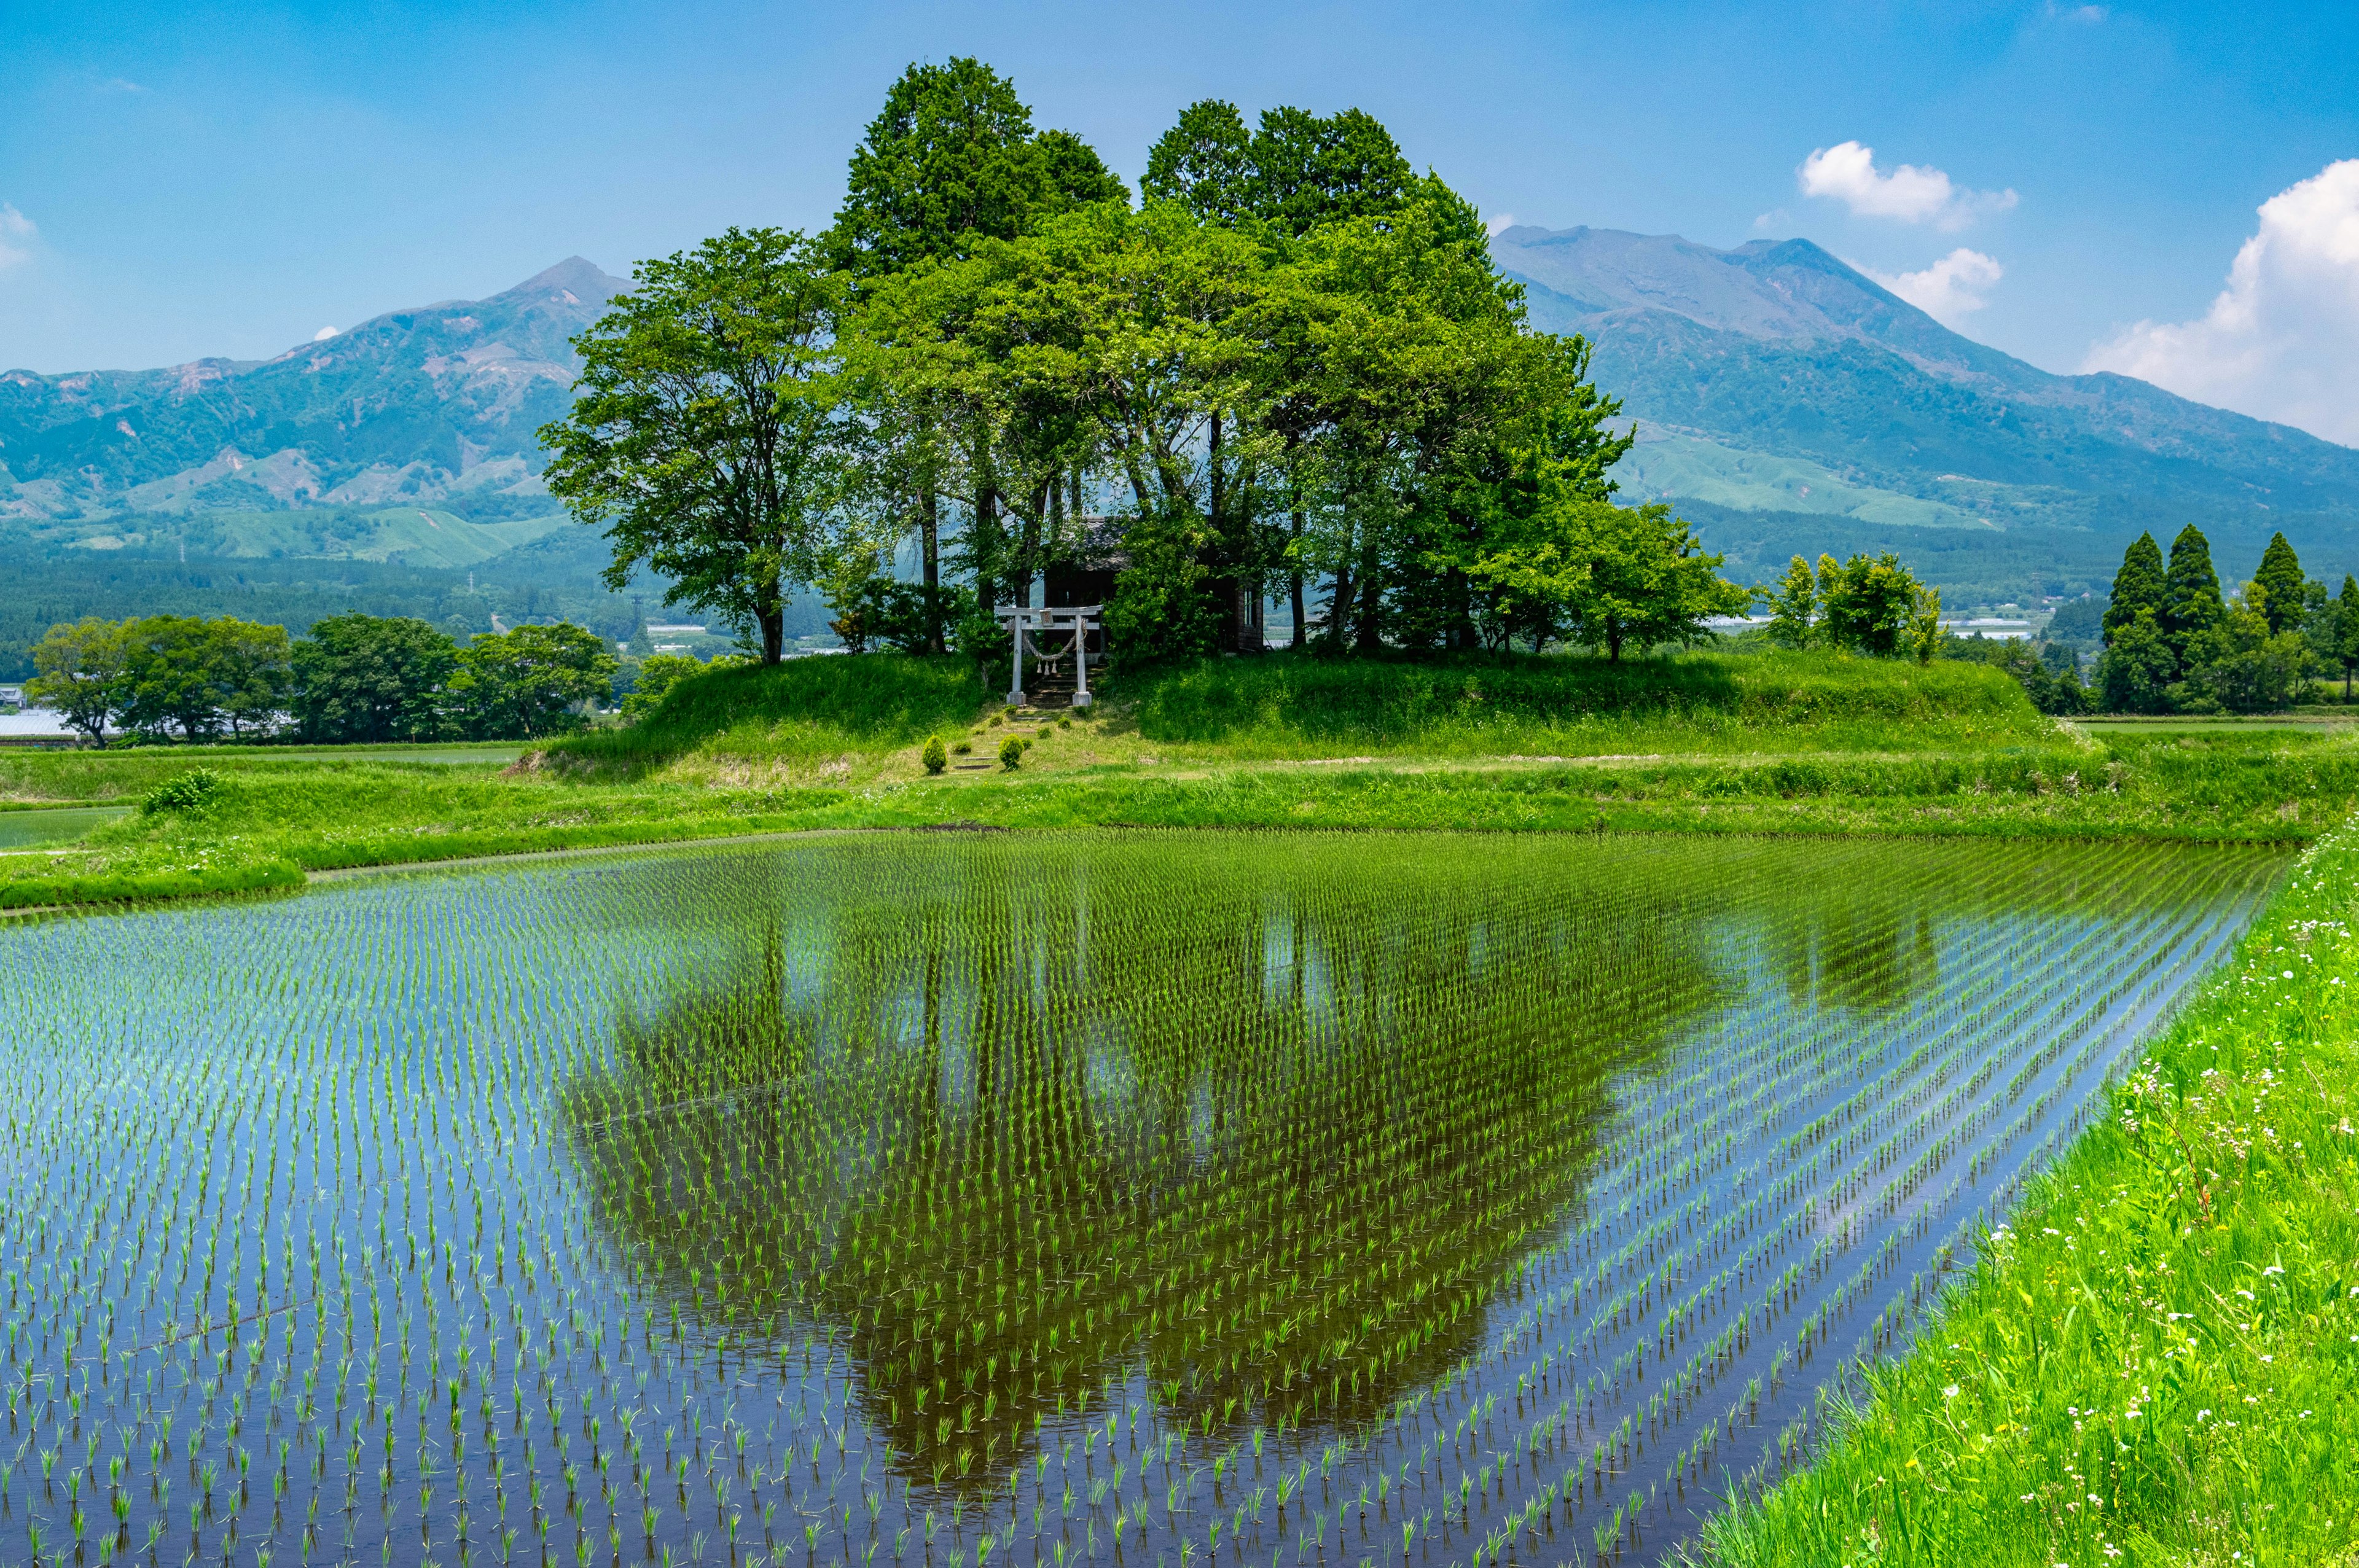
column 1716, row 744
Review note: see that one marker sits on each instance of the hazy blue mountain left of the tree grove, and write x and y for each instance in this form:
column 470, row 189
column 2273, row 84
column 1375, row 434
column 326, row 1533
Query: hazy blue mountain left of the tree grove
column 433, row 404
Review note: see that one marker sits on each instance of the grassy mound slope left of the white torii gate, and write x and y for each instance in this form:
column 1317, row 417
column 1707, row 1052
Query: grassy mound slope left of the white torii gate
column 801, row 709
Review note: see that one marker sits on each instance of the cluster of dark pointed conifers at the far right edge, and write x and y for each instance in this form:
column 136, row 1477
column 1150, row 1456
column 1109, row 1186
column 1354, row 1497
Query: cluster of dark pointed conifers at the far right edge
column 2176, row 645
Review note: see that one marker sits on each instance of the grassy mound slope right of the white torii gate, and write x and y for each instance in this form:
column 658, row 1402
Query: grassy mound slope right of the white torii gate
column 1518, row 704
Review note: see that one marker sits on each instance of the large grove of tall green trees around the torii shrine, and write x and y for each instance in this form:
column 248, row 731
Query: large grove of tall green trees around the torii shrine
column 1287, row 369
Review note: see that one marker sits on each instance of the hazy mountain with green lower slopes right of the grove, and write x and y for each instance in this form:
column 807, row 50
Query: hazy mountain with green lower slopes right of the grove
column 1794, row 397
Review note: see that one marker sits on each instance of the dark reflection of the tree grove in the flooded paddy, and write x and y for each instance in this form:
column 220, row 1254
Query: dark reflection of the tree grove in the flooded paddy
column 1263, row 1126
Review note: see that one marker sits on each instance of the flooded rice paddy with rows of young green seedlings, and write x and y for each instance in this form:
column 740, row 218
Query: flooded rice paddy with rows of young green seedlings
column 1025, row 1199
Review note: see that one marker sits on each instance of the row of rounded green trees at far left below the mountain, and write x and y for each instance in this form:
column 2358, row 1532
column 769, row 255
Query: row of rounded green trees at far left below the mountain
column 350, row 680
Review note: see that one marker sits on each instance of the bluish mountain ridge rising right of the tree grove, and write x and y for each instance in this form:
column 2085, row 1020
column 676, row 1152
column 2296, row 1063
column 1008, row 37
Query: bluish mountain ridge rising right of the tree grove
column 1780, row 350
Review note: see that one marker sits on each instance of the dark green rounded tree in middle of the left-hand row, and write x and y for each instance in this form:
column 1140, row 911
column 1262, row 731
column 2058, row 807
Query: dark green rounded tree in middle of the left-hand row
column 369, row 680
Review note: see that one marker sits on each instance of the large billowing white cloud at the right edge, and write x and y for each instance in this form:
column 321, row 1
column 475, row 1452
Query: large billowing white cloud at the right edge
column 2282, row 341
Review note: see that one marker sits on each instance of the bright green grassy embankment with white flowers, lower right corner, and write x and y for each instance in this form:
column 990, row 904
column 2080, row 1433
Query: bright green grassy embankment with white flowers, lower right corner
column 2157, row 1359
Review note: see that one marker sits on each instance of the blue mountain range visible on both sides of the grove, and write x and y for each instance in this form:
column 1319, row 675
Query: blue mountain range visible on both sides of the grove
column 1787, row 402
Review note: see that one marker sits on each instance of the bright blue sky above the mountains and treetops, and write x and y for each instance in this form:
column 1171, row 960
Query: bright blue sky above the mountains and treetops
column 228, row 180
